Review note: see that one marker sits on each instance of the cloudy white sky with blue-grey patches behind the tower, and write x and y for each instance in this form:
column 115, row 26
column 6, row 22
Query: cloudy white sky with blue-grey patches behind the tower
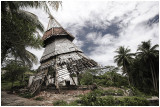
column 100, row 27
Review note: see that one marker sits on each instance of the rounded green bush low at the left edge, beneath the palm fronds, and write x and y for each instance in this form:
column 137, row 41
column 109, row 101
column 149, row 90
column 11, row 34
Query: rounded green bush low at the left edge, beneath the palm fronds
column 17, row 75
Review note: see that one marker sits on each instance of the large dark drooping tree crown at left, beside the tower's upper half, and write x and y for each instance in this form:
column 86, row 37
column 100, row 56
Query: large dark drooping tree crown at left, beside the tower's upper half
column 18, row 32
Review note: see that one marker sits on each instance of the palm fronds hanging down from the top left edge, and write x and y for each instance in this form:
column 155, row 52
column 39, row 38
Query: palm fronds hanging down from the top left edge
column 15, row 6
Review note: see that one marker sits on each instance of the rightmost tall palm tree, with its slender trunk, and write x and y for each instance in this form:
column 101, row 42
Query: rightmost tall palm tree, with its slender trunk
column 149, row 54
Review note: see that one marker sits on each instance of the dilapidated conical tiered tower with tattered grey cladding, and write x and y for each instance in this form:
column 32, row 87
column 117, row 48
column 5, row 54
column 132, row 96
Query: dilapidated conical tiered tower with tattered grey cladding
column 62, row 61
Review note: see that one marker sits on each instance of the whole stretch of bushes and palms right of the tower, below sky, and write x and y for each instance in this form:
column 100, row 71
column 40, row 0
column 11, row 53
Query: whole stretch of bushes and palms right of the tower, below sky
column 138, row 71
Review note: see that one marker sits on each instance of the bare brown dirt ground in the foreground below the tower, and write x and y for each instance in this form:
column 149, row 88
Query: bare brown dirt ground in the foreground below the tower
column 48, row 98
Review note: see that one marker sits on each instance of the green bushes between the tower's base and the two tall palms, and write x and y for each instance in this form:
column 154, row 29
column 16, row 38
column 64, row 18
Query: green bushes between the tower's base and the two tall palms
column 109, row 78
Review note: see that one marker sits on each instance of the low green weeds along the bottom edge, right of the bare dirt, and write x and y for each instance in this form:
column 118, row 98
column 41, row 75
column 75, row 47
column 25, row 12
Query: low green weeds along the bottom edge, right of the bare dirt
column 97, row 98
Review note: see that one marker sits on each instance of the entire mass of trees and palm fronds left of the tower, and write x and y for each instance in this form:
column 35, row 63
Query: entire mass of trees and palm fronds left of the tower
column 20, row 30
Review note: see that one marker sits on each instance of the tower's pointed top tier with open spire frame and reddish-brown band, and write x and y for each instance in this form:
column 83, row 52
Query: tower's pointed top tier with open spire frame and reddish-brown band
column 54, row 29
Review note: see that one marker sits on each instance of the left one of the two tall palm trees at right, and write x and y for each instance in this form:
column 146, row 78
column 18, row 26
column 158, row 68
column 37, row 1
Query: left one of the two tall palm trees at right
column 124, row 59
